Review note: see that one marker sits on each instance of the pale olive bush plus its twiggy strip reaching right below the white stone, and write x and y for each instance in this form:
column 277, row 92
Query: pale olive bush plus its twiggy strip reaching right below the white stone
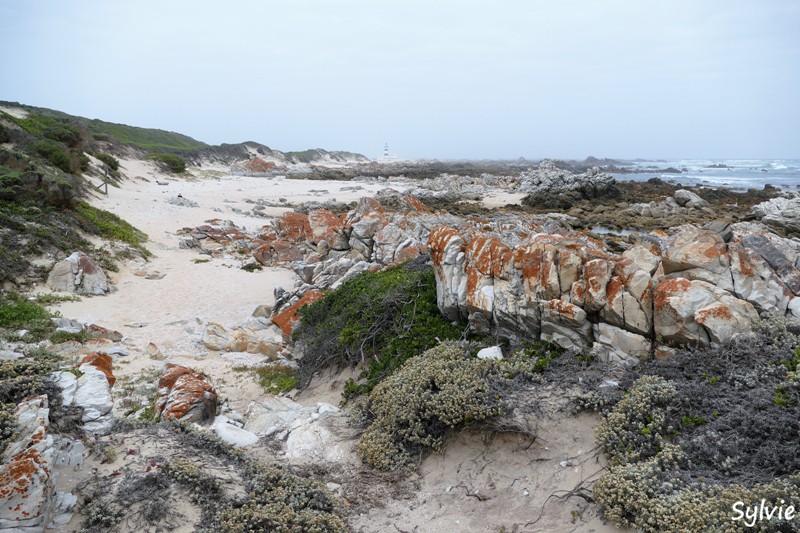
column 444, row 388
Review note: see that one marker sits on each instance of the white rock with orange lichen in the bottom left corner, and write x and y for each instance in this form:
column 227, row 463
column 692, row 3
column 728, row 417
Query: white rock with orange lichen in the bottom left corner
column 26, row 480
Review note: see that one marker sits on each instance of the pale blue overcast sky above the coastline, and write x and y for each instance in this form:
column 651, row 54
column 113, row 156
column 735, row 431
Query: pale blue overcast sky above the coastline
column 435, row 79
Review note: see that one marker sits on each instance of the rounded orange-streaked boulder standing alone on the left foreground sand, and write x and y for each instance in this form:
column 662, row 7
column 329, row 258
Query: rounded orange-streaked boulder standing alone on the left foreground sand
column 184, row 394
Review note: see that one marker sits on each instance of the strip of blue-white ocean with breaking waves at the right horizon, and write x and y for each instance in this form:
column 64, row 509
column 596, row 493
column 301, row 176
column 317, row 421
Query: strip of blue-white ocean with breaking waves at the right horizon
column 734, row 173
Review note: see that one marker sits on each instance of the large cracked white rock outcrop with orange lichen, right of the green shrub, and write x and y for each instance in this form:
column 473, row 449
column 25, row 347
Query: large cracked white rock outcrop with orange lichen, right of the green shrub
column 690, row 287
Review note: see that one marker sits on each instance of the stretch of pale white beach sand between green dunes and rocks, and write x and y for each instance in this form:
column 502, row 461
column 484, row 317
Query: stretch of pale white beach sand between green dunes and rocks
column 217, row 291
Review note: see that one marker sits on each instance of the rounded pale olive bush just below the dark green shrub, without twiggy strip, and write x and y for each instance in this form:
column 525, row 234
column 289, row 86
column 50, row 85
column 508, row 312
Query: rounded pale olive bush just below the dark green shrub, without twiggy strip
column 412, row 409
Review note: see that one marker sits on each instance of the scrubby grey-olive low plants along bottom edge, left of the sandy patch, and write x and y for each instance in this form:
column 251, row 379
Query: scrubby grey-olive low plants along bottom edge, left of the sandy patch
column 267, row 498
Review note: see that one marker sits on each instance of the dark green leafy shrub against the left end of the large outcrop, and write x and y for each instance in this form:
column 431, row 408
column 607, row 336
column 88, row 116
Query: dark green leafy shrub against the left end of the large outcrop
column 381, row 318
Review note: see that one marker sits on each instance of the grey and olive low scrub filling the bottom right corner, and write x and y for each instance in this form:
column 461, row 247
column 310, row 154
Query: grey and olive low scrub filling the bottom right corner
column 691, row 436
